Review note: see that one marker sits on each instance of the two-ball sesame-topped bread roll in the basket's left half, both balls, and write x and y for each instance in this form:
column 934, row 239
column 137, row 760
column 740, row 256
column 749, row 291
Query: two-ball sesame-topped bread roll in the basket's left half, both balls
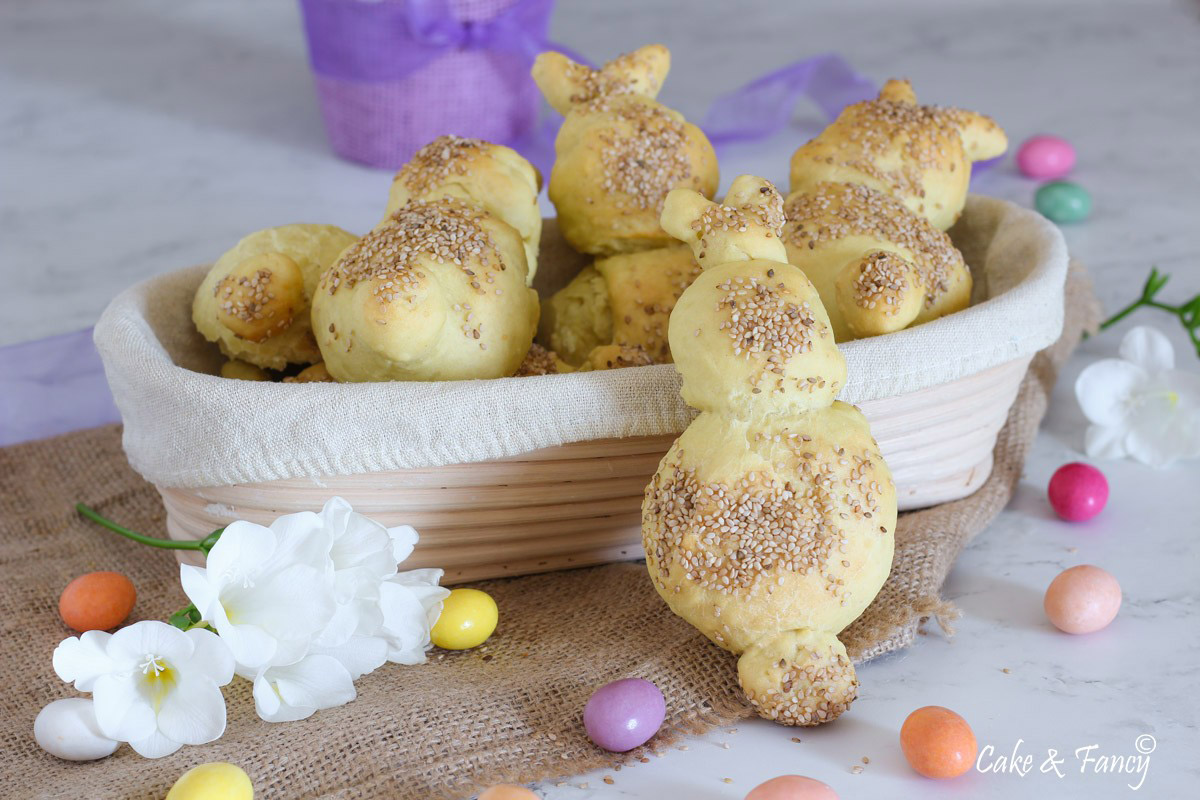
column 440, row 290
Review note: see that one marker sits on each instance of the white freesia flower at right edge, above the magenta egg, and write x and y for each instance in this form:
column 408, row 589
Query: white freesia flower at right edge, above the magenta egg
column 1141, row 406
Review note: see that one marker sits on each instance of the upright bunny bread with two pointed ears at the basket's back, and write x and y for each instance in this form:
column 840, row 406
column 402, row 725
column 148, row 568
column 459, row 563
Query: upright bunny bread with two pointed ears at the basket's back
column 620, row 152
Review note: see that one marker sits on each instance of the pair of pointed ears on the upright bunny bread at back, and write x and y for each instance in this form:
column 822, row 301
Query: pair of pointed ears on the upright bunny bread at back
column 567, row 83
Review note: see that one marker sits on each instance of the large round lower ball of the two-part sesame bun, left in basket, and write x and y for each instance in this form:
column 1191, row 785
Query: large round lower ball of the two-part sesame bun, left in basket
column 439, row 292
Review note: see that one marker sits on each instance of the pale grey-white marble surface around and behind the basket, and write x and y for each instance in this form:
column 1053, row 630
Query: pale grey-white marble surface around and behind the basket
column 140, row 137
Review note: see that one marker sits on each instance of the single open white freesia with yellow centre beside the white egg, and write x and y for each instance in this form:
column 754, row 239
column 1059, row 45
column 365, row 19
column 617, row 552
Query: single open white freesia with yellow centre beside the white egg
column 153, row 685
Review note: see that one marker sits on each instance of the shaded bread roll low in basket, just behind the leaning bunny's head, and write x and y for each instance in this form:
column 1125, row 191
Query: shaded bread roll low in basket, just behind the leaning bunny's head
column 623, row 300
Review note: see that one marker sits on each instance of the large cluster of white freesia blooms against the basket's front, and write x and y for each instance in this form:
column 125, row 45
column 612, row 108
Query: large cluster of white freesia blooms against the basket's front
column 314, row 604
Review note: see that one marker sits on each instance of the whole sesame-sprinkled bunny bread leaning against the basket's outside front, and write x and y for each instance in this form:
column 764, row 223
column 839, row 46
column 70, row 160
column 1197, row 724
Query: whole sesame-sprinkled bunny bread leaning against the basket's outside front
column 770, row 524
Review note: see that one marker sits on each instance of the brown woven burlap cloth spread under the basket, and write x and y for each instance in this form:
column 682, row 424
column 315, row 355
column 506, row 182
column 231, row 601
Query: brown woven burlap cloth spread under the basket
column 509, row 711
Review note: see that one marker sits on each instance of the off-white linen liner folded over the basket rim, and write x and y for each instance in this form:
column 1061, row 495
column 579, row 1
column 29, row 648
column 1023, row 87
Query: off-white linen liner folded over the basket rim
column 187, row 428
